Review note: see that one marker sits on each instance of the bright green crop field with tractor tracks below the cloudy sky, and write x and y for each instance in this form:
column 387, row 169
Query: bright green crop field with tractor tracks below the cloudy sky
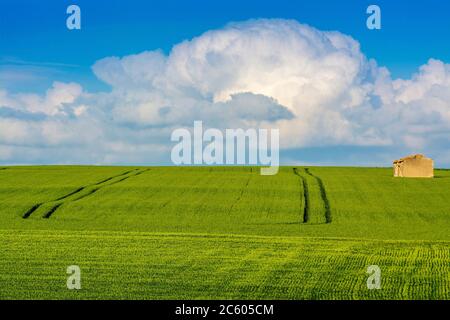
column 222, row 233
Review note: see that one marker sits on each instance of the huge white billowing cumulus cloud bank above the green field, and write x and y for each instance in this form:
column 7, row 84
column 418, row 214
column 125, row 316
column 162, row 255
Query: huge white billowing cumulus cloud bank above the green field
column 316, row 86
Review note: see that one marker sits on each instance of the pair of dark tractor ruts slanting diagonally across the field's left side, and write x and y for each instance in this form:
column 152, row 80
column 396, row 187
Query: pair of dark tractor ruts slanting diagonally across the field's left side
column 50, row 212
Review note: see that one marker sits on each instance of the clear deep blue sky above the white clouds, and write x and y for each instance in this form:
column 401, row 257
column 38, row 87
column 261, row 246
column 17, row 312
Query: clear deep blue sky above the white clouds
column 35, row 32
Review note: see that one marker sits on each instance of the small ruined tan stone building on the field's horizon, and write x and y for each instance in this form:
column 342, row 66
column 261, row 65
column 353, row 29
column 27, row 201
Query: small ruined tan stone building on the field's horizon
column 414, row 166
